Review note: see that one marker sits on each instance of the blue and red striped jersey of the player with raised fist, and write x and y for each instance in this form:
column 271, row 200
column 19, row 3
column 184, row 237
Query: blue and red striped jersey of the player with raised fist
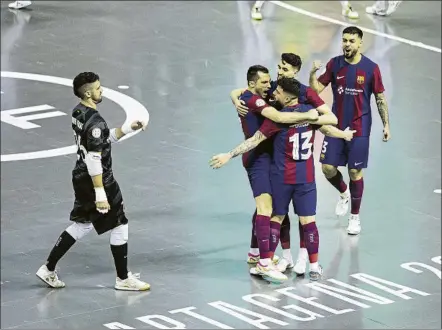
column 353, row 85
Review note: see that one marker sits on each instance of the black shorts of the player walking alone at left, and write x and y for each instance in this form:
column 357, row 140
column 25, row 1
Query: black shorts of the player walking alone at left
column 85, row 211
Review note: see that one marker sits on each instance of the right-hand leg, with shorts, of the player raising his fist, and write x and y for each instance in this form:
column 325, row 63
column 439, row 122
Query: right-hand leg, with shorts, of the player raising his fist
column 357, row 161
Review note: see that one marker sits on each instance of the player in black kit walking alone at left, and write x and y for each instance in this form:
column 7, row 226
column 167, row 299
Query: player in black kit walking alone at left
column 98, row 201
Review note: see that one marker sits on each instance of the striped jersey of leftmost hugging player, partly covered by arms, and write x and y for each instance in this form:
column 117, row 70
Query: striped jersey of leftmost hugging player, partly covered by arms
column 250, row 125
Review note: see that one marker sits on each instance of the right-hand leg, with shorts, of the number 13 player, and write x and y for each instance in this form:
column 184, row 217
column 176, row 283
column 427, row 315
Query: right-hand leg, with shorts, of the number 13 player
column 305, row 200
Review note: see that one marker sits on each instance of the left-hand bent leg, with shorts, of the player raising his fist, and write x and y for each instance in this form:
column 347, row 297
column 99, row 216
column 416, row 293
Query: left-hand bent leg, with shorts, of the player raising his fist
column 333, row 154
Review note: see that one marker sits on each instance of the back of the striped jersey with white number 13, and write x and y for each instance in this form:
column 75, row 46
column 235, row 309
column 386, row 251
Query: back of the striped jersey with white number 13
column 293, row 150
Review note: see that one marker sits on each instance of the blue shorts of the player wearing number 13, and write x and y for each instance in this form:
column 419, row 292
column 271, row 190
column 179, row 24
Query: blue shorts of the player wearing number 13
column 303, row 196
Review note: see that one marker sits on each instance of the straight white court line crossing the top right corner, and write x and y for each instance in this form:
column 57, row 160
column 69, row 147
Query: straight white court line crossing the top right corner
column 334, row 21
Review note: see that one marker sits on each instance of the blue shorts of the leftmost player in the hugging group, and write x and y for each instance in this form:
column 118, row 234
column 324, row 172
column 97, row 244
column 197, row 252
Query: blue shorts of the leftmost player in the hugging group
column 259, row 175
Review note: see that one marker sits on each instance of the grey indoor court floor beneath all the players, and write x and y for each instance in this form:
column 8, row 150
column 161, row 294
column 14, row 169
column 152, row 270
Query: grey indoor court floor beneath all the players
column 189, row 225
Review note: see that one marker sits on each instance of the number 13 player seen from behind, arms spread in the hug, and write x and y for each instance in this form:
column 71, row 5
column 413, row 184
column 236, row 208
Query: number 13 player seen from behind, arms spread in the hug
column 292, row 173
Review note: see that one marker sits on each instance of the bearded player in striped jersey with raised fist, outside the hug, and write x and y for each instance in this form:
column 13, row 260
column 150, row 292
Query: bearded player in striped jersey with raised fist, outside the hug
column 354, row 78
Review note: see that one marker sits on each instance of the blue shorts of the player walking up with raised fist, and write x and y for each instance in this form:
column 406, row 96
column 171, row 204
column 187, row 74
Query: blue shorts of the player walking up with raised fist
column 338, row 152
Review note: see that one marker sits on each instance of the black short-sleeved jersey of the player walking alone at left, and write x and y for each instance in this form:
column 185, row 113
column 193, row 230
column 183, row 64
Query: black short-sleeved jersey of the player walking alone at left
column 91, row 135
